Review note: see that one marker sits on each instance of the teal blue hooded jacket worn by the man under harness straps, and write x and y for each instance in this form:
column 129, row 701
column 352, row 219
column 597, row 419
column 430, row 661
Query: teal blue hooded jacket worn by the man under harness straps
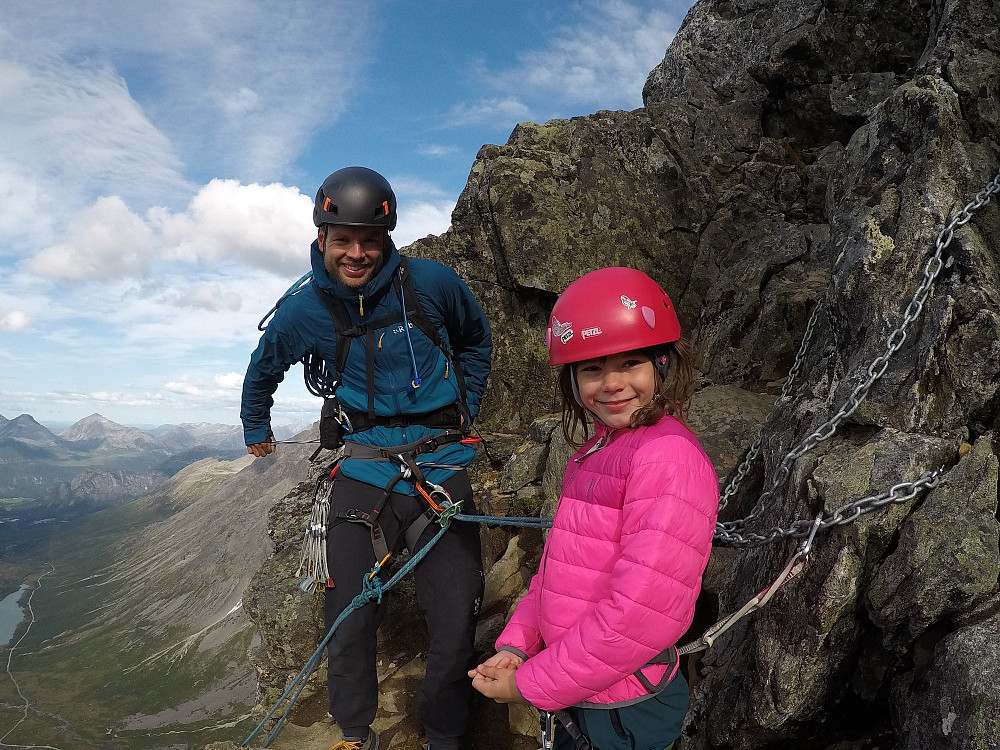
column 302, row 324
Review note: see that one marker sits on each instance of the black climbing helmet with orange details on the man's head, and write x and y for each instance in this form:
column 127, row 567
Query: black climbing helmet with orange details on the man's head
column 357, row 196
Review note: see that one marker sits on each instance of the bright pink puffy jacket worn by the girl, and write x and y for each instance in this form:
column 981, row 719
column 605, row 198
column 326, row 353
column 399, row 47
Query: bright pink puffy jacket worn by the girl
column 621, row 569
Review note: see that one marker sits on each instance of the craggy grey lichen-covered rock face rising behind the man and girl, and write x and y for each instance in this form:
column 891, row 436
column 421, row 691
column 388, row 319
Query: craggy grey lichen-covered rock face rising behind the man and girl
column 791, row 170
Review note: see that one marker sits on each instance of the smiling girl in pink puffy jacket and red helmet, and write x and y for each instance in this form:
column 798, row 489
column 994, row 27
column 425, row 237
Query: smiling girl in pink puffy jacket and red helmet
column 622, row 566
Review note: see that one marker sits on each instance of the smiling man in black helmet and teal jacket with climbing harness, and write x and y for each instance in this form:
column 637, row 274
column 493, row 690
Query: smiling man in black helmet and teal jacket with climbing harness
column 366, row 335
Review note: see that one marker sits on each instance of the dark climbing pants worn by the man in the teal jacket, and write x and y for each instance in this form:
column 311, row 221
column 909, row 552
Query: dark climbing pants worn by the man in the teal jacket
column 449, row 587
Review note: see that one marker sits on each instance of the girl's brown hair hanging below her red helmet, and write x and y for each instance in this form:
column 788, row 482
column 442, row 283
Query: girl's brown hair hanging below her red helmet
column 671, row 396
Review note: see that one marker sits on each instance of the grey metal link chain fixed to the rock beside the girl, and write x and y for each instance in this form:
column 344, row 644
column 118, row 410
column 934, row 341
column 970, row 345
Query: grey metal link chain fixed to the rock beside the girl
column 728, row 532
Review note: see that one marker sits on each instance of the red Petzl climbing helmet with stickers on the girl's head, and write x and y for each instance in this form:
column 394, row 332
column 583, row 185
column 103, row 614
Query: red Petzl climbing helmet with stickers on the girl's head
column 608, row 311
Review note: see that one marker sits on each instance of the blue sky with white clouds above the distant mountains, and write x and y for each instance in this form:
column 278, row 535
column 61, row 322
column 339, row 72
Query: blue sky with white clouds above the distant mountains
column 158, row 163
